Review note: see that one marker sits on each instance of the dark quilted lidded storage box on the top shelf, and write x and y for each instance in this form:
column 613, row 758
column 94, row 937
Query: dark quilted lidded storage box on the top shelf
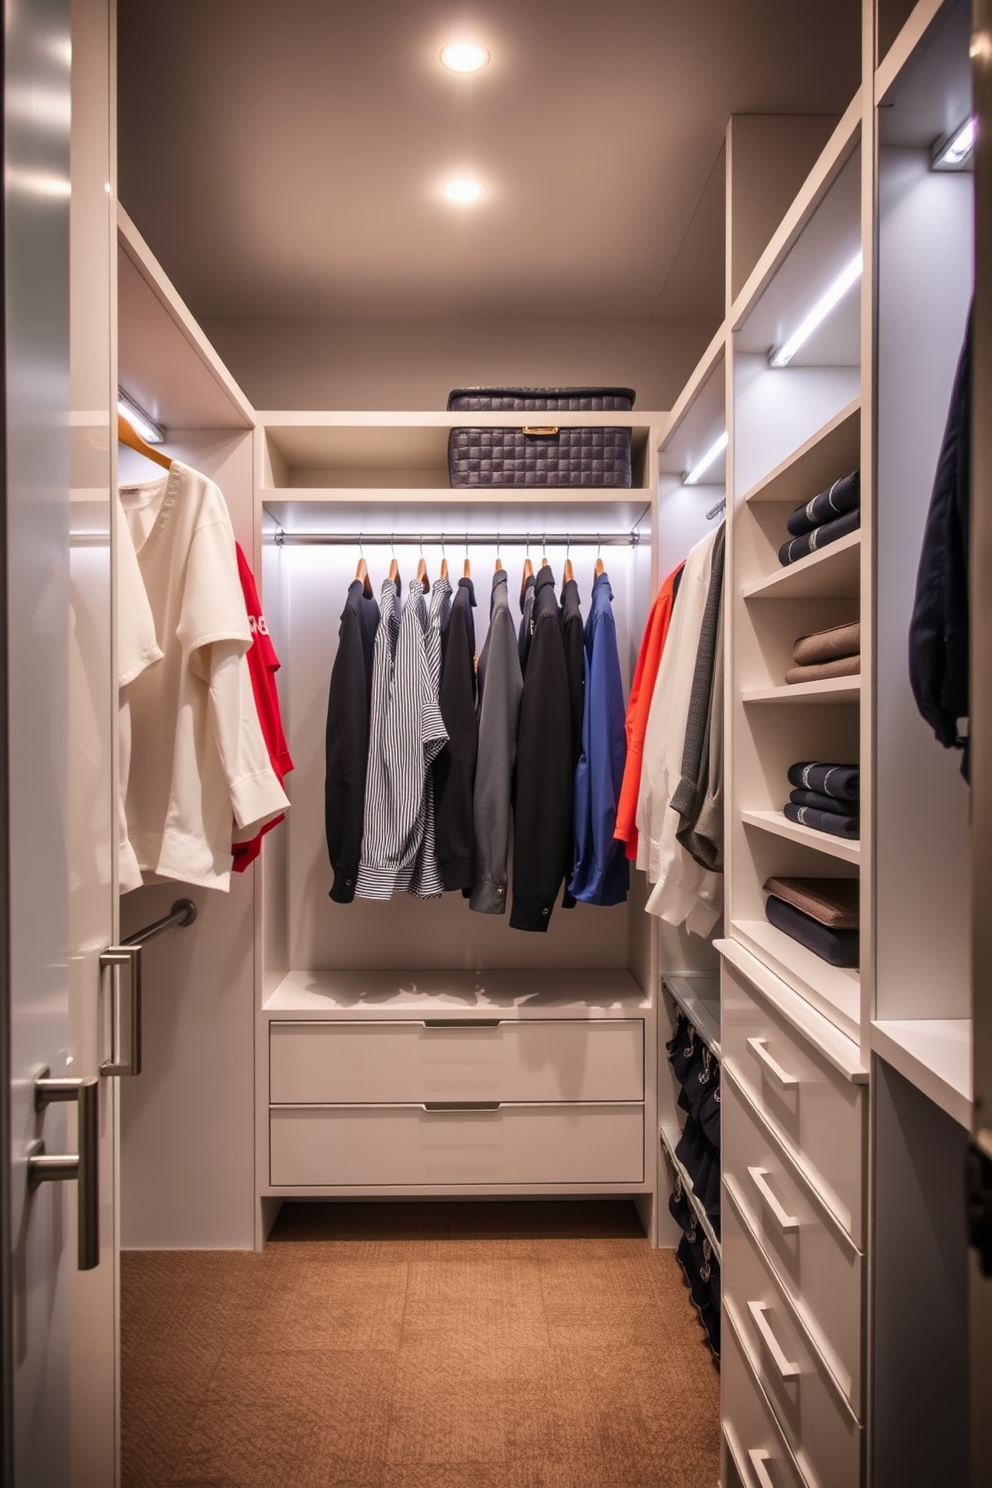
column 541, row 453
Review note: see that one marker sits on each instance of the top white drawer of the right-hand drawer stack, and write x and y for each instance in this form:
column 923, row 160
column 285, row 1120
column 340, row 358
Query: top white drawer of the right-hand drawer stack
column 816, row 1109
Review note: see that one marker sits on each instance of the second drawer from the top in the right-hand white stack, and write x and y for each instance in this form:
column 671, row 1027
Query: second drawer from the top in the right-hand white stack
column 816, row 1261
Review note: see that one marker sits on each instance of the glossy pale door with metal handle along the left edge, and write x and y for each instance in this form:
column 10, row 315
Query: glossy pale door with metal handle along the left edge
column 57, row 891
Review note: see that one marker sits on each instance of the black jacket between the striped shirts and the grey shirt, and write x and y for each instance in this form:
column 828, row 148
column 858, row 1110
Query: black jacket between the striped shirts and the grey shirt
column 456, row 766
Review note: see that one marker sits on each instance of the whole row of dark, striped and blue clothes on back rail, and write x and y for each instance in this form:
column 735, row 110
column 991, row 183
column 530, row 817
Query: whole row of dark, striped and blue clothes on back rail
column 429, row 758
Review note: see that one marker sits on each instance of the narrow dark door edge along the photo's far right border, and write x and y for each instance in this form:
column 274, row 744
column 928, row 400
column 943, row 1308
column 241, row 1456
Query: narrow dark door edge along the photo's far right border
column 982, row 752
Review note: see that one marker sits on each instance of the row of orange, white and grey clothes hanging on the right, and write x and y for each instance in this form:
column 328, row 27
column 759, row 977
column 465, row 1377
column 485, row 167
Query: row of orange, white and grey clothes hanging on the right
column 671, row 800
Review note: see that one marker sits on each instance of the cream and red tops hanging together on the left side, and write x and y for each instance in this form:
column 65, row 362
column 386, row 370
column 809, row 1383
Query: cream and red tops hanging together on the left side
column 203, row 752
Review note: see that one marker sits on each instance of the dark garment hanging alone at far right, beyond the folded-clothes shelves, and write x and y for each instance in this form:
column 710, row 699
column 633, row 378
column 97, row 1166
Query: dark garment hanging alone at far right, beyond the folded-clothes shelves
column 939, row 650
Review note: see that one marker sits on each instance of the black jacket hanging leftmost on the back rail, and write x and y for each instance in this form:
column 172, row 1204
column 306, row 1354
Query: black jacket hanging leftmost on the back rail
column 347, row 740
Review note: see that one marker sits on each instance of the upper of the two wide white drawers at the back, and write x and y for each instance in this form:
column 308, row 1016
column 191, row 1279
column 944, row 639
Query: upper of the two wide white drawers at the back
column 396, row 1063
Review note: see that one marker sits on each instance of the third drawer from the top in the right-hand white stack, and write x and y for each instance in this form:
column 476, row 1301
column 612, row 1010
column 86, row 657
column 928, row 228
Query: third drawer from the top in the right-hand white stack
column 810, row 1408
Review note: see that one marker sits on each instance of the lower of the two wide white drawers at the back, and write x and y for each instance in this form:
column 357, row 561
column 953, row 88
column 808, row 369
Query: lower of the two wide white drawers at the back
column 407, row 1147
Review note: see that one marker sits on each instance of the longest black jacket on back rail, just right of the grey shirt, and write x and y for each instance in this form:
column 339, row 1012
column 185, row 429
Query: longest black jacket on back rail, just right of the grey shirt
column 542, row 821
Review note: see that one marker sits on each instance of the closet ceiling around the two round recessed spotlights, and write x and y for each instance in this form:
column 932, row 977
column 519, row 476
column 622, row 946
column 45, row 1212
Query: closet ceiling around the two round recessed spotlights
column 285, row 160
